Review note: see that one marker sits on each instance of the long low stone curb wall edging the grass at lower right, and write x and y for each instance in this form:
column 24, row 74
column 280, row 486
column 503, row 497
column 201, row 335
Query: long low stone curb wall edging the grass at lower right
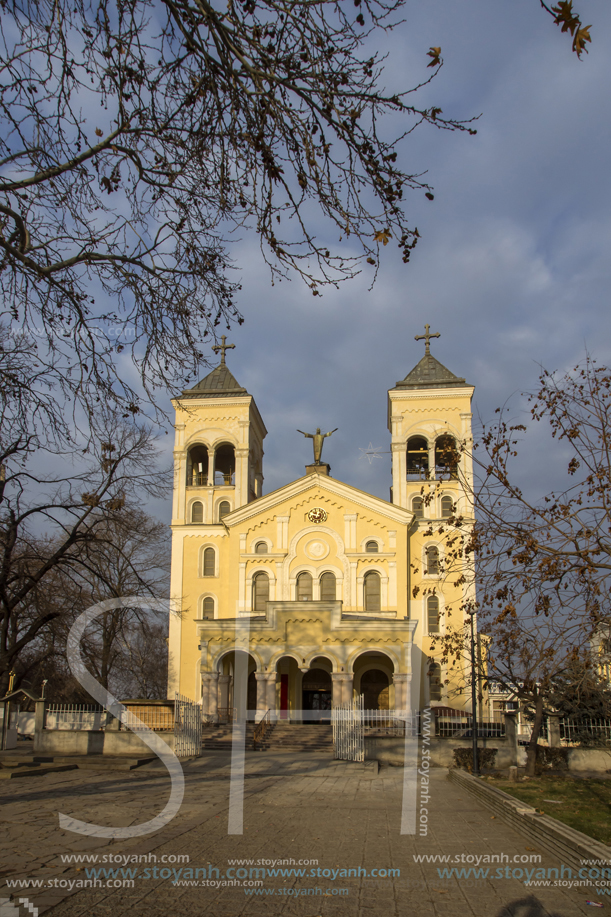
column 564, row 843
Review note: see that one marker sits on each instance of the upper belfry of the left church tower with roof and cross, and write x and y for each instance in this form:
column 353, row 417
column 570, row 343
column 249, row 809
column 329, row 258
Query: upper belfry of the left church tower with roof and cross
column 218, row 453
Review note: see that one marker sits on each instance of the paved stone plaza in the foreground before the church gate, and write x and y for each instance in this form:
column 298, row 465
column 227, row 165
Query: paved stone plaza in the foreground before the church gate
column 344, row 816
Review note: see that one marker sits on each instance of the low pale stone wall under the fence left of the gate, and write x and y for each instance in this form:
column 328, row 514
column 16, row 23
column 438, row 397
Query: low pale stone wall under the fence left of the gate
column 93, row 742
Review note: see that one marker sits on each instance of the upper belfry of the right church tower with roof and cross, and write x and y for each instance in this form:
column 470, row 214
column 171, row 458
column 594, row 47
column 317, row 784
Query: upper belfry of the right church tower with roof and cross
column 429, row 419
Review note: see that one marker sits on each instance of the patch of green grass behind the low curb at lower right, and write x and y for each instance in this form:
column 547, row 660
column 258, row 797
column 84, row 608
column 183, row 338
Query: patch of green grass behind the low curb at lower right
column 581, row 804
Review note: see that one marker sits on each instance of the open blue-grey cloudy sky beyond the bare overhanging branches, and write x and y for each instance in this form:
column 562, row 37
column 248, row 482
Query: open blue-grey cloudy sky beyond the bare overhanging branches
column 513, row 267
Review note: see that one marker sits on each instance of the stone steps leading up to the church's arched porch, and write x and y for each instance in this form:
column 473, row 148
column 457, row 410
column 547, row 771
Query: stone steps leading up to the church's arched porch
column 282, row 736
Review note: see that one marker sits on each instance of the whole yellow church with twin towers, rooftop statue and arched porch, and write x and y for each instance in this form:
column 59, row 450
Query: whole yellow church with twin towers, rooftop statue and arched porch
column 331, row 592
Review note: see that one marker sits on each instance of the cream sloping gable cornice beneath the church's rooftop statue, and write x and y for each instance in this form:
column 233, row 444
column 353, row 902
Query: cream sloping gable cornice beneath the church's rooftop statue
column 324, row 483
